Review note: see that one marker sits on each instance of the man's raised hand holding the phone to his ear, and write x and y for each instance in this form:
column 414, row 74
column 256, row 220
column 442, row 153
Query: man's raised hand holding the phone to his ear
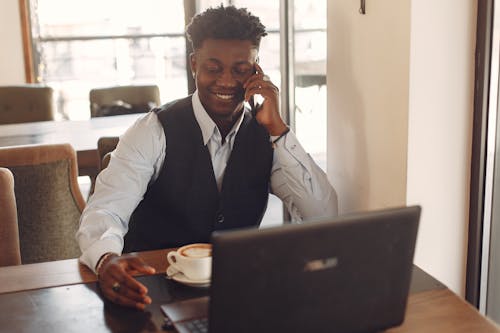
column 268, row 114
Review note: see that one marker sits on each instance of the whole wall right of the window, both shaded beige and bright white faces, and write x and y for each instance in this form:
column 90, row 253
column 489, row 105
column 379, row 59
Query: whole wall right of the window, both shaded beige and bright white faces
column 383, row 76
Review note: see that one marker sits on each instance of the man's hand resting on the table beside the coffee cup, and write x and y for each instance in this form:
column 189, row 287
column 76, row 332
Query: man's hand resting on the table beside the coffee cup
column 118, row 285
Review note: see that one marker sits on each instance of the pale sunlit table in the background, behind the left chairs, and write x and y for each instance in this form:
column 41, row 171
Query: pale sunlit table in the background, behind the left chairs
column 81, row 134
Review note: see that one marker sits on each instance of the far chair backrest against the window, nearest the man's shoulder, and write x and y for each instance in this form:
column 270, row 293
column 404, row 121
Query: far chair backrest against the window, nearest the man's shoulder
column 112, row 101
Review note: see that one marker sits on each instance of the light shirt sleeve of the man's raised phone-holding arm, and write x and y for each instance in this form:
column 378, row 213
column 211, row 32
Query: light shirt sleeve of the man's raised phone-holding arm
column 299, row 182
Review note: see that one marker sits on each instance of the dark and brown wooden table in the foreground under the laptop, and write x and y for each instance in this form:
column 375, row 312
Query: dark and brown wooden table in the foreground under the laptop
column 62, row 296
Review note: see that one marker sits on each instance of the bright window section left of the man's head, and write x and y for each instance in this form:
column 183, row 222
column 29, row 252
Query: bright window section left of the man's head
column 80, row 45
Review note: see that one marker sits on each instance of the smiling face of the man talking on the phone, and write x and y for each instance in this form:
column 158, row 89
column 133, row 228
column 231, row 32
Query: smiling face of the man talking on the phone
column 221, row 67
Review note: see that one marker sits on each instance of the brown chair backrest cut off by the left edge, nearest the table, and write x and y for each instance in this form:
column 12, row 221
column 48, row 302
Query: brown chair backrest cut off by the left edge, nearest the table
column 9, row 235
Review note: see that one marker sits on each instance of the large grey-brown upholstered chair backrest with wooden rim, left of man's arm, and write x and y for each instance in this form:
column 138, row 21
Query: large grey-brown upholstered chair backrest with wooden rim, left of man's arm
column 49, row 201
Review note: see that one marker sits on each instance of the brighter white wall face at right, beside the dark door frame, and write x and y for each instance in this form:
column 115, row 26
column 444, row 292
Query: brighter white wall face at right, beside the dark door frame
column 440, row 132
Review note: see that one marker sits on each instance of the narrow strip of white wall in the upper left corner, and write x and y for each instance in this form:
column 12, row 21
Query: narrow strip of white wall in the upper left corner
column 11, row 55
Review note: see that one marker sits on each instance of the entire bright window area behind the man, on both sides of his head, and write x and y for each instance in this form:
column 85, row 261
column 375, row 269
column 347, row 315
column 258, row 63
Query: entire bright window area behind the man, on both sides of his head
column 82, row 45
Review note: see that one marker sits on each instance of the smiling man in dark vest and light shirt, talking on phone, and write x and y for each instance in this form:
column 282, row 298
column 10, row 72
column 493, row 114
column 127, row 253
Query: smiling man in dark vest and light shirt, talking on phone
column 203, row 163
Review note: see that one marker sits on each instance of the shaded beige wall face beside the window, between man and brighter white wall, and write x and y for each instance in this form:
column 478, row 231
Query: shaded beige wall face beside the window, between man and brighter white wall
column 368, row 77
